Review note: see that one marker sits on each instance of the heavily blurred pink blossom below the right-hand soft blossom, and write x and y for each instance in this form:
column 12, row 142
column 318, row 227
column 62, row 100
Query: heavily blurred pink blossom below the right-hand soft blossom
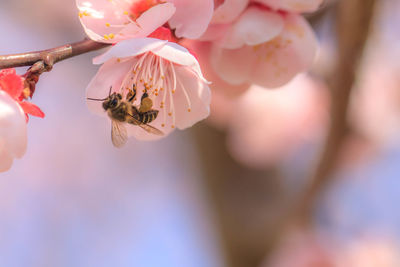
column 266, row 126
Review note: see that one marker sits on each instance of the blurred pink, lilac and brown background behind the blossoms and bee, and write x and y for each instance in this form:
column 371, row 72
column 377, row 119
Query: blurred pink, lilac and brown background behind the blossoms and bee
column 218, row 194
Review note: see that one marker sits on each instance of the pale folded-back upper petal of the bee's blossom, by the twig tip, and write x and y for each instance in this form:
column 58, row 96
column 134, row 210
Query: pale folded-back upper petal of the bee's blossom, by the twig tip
column 129, row 48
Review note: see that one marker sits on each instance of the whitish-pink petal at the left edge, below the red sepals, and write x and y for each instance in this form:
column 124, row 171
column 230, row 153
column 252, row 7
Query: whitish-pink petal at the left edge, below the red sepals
column 12, row 127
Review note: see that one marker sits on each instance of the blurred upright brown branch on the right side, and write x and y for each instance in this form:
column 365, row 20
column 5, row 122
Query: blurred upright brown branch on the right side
column 353, row 22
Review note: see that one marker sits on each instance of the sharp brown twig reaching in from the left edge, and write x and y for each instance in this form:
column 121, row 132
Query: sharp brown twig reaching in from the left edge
column 50, row 56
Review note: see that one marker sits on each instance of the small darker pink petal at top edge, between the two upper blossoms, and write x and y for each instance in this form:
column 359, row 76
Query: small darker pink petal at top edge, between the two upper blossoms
column 228, row 11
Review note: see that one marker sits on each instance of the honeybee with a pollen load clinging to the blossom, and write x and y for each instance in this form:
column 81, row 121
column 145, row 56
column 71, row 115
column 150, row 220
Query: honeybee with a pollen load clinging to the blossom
column 124, row 111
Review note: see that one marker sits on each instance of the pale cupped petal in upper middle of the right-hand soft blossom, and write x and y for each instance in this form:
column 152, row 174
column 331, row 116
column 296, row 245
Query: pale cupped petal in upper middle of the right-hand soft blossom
column 255, row 26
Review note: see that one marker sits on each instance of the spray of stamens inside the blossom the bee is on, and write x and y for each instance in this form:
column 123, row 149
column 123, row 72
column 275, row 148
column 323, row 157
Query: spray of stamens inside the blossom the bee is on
column 157, row 77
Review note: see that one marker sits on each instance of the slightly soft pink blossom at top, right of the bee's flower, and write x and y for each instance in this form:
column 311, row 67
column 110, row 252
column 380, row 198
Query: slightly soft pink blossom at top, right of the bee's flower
column 259, row 44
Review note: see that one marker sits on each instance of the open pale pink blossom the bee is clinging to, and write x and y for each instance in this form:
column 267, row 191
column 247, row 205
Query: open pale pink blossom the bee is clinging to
column 169, row 73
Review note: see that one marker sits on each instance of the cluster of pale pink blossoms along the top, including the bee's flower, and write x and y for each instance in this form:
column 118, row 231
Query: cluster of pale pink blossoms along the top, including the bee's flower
column 162, row 48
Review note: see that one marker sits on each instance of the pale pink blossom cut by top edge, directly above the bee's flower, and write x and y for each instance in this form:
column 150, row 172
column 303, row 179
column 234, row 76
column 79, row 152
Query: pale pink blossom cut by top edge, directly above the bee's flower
column 111, row 21
